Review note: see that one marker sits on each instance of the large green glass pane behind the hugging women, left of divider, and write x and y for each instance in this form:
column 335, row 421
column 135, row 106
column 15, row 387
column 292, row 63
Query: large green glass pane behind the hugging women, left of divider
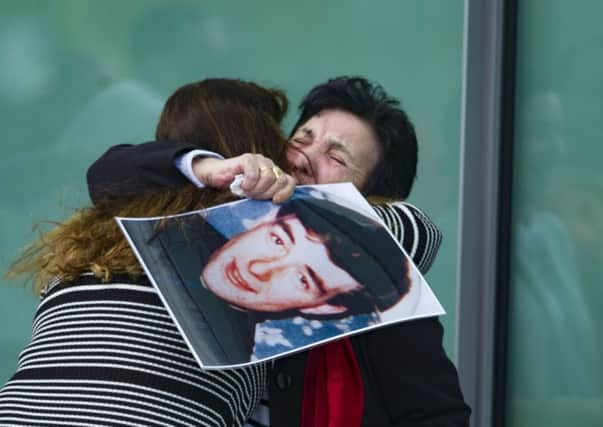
column 78, row 76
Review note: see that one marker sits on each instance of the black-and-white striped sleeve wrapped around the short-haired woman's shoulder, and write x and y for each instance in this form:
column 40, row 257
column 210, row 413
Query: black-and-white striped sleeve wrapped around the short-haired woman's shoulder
column 417, row 234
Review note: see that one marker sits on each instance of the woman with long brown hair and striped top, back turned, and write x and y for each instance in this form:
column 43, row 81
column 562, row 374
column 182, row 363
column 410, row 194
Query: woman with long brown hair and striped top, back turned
column 104, row 350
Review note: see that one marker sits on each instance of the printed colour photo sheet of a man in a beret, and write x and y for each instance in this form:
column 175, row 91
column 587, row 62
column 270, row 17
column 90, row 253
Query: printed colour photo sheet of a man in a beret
column 249, row 281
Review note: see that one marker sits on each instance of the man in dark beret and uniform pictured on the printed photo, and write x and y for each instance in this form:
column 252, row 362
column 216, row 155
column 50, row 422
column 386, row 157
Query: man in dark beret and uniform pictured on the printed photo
column 311, row 258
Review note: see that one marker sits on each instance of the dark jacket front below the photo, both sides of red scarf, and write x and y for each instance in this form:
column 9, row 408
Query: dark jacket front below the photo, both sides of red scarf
column 408, row 380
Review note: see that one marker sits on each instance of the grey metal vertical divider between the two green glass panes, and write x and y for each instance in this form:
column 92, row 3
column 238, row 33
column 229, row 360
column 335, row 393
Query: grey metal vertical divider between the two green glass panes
column 485, row 205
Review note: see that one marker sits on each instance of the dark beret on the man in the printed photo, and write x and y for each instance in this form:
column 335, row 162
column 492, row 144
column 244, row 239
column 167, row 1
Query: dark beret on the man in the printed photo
column 360, row 246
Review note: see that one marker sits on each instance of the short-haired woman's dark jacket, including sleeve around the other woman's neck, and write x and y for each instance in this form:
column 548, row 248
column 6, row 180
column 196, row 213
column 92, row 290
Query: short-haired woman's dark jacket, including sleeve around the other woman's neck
column 408, row 379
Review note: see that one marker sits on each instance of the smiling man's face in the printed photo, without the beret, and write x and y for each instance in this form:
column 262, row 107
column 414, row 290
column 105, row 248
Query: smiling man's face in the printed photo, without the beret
column 278, row 265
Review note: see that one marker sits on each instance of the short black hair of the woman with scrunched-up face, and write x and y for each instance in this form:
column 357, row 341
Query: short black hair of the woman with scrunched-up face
column 396, row 169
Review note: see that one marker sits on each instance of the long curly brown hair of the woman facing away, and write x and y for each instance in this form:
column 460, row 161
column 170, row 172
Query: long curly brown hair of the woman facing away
column 227, row 116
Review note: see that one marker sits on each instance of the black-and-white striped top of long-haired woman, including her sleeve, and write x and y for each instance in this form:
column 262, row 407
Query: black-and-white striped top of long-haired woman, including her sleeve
column 110, row 355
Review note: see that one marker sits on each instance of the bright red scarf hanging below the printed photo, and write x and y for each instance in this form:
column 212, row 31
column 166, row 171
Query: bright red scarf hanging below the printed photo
column 333, row 388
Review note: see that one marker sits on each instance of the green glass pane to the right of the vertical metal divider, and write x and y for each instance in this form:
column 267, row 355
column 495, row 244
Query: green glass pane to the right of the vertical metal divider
column 555, row 349
